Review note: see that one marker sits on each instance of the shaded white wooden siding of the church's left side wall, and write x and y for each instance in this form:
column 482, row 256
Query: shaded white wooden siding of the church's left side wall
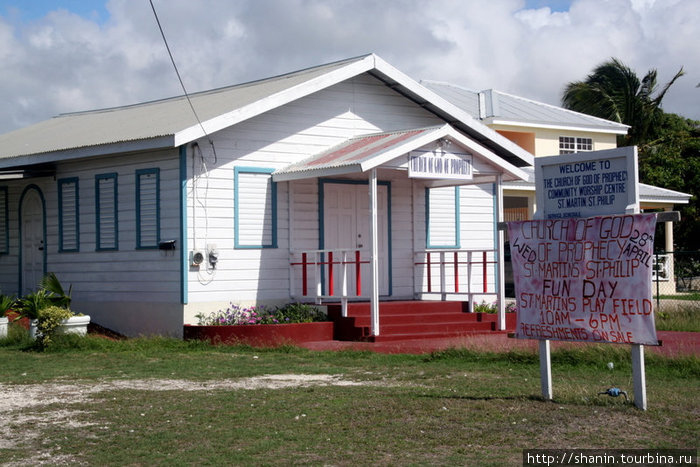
column 126, row 274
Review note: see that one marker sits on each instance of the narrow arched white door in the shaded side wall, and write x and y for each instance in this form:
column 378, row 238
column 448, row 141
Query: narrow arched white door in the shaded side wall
column 32, row 211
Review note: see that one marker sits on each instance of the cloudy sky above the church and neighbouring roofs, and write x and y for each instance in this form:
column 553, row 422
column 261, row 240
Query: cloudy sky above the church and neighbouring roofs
column 64, row 62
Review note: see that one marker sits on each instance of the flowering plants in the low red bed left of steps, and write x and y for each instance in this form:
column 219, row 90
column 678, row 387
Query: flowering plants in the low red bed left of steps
column 236, row 315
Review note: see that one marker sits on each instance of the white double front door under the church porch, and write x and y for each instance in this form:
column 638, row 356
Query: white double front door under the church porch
column 346, row 225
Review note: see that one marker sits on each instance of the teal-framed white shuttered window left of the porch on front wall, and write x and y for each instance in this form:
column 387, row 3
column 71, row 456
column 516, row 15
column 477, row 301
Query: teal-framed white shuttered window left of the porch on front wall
column 255, row 208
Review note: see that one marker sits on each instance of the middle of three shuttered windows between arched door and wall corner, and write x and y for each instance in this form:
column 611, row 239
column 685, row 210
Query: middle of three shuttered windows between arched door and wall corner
column 106, row 212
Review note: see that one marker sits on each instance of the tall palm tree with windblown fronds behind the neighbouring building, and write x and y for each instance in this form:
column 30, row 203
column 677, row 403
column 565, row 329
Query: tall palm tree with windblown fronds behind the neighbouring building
column 614, row 92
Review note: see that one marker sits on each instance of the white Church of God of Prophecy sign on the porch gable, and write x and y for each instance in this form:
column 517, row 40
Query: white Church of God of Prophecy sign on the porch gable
column 440, row 164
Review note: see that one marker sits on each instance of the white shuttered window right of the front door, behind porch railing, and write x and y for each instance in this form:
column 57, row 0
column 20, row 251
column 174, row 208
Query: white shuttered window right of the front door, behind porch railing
column 442, row 217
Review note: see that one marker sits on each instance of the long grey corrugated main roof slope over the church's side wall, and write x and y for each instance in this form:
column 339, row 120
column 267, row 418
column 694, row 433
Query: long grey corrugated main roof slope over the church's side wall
column 161, row 118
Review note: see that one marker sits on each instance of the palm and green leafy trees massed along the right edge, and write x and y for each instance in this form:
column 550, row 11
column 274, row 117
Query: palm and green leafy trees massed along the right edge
column 669, row 145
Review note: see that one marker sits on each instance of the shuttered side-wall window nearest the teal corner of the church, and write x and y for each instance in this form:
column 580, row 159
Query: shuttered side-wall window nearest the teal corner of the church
column 147, row 208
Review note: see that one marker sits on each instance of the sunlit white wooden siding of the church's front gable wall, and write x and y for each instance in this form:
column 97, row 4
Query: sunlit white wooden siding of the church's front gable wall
column 280, row 137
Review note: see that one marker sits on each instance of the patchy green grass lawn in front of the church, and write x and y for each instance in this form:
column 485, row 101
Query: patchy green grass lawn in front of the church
column 168, row 402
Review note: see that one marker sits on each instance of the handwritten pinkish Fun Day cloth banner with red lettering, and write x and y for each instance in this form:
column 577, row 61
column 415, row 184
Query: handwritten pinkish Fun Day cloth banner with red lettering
column 585, row 279
